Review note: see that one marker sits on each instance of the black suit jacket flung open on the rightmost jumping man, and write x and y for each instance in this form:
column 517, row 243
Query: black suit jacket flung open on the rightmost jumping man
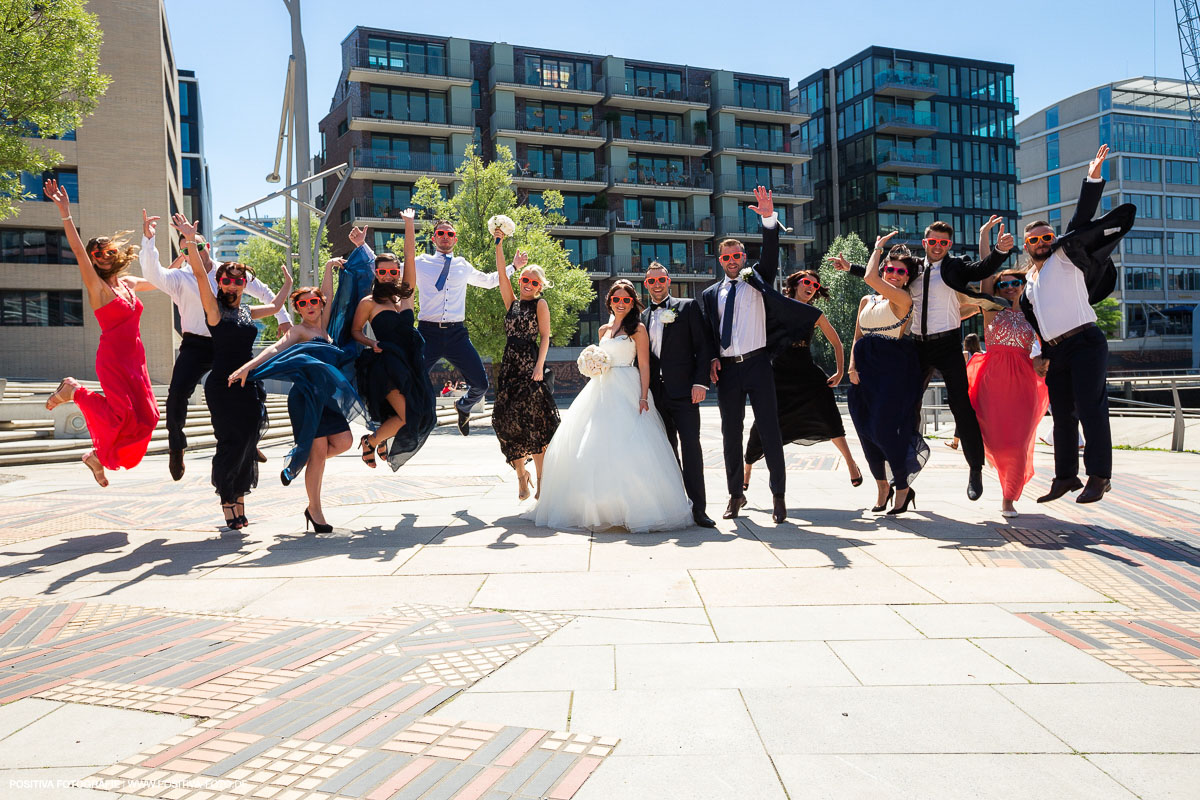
column 1089, row 245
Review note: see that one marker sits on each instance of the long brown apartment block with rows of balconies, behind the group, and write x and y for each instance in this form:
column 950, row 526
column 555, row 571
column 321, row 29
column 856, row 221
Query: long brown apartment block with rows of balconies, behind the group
column 655, row 161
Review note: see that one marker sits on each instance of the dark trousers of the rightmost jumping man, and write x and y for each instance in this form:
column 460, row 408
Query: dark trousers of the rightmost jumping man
column 1079, row 398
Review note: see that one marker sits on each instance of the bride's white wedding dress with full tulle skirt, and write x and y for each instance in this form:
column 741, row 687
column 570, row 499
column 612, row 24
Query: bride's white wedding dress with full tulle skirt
column 609, row 466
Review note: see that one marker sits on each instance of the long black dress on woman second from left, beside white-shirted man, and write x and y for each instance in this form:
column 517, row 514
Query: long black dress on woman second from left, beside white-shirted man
column 239, row 413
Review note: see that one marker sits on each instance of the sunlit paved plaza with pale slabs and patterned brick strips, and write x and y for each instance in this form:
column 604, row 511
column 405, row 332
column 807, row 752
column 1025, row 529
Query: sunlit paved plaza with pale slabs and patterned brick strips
column 439, row 647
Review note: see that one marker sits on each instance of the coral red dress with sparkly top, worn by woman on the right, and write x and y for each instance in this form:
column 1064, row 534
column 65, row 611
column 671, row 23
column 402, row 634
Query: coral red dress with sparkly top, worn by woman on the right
column 1010, row 399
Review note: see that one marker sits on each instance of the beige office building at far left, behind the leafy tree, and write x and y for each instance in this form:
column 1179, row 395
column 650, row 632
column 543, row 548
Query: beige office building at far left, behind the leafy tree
column 125, row 158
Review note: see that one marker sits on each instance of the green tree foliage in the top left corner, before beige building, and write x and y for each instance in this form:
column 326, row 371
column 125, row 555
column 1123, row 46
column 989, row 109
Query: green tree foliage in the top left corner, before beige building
column 50, row 82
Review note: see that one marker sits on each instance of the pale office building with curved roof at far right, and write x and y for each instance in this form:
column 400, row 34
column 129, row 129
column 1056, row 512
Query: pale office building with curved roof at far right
column 1153, row 164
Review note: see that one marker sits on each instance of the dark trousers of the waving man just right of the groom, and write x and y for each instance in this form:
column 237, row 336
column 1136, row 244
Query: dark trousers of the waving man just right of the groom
column 755, row 380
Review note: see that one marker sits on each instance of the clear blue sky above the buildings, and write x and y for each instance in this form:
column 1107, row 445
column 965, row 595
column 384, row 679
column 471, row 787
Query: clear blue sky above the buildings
column 239, row 49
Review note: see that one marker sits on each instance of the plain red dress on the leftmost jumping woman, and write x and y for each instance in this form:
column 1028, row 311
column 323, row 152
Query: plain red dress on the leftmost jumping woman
column 122, row 417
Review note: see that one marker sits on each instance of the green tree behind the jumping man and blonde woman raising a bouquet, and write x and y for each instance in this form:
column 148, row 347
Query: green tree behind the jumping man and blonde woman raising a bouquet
column 487, row 190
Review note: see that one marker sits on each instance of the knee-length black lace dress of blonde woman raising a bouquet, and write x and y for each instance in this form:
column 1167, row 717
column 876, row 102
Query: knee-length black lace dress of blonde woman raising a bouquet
column 525, row 416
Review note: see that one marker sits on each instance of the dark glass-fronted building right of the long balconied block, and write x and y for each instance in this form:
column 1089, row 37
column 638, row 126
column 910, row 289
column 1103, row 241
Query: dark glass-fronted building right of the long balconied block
column 901, row 140
